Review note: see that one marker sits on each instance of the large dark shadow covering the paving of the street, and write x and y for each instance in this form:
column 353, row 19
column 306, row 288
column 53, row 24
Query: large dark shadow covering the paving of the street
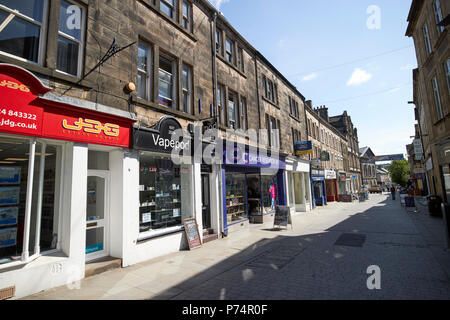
column 313, row 267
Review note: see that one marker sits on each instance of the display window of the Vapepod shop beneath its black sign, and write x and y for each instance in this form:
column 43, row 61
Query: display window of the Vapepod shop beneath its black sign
column 164, row 193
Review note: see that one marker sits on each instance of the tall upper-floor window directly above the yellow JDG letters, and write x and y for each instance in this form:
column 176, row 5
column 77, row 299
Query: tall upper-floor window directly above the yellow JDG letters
column 70, row 38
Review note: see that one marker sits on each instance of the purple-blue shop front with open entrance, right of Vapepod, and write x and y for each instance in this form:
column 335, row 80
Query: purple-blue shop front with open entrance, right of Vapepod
column 253, row 184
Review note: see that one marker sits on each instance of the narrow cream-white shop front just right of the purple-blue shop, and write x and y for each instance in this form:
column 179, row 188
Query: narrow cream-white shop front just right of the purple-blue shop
column 298, row 185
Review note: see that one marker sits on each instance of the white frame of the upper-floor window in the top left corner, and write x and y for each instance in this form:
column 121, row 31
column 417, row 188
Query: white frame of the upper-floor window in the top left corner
column 42, row 34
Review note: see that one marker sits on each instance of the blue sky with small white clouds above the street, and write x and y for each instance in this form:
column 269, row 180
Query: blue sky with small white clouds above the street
column 339, row 54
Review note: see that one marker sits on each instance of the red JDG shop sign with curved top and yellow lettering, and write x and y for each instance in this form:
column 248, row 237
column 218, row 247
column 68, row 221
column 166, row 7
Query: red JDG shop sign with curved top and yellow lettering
column 23, row 111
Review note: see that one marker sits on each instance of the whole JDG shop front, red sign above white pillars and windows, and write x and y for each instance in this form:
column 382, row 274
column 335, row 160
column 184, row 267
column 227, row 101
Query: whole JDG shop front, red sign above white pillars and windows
column 58, row 205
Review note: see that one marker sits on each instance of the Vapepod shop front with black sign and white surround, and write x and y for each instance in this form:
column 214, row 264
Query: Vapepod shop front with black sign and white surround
column 166, row 187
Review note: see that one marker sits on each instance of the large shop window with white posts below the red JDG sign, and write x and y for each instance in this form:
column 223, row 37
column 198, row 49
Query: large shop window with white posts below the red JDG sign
column 41, row 207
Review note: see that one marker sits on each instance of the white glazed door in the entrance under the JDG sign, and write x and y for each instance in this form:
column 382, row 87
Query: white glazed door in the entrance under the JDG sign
column 97, row 214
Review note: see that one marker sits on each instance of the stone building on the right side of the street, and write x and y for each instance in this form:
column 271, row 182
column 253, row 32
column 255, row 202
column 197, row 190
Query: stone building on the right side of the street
column 428, row 26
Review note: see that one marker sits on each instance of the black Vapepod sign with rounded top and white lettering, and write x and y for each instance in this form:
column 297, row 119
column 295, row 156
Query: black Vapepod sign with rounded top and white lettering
column 163, row 137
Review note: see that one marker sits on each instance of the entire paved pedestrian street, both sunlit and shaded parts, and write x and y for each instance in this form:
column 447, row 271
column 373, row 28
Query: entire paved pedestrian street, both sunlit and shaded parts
column 326, row 255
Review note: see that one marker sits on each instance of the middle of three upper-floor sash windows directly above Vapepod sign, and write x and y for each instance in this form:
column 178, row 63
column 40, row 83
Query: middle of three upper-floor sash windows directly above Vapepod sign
column 167, row 81
